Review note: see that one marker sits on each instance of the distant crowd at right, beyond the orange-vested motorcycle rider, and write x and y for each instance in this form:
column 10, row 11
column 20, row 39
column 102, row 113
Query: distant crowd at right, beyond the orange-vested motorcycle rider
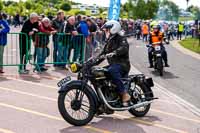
column 170, row 29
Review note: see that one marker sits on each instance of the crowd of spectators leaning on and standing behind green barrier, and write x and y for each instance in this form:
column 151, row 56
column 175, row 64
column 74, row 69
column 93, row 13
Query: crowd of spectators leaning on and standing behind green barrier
column 65, row 32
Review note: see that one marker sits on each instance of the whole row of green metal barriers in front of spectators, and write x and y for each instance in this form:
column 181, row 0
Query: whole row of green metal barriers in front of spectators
column 59, row 49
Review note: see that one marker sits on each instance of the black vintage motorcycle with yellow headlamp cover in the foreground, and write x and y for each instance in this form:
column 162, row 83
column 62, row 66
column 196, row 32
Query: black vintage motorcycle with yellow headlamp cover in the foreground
column 93, row 93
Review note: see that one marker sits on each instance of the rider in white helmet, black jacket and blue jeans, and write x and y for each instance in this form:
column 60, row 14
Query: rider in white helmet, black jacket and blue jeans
column 117, row 51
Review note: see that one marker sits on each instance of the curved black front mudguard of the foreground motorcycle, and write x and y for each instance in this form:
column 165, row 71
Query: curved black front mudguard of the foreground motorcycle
column 80, row 83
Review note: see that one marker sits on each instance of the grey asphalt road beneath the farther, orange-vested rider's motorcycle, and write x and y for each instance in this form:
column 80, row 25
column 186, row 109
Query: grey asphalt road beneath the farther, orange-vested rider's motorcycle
column 181, row 78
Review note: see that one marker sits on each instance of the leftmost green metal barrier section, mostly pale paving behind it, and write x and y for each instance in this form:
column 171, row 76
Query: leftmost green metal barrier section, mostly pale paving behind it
column 12, row 55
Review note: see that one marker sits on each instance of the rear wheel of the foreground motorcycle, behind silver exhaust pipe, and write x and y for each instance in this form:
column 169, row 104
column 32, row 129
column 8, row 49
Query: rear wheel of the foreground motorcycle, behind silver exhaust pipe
column 144, row 93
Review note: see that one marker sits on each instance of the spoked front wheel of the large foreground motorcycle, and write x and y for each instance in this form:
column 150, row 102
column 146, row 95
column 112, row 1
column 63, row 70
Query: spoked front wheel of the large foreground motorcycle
column 76, row 112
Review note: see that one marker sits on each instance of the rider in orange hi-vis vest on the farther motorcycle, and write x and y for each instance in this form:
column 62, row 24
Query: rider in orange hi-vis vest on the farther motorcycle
column 155, row 37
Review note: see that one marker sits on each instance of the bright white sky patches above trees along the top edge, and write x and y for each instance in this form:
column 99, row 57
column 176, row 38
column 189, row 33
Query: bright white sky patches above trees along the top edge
column 181, row 3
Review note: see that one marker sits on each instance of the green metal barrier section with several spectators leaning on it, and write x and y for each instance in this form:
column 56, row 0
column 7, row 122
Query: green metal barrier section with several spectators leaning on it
column 59, row 49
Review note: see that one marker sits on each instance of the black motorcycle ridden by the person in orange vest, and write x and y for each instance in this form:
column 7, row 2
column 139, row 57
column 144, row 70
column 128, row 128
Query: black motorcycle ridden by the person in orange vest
column 157, row 57
